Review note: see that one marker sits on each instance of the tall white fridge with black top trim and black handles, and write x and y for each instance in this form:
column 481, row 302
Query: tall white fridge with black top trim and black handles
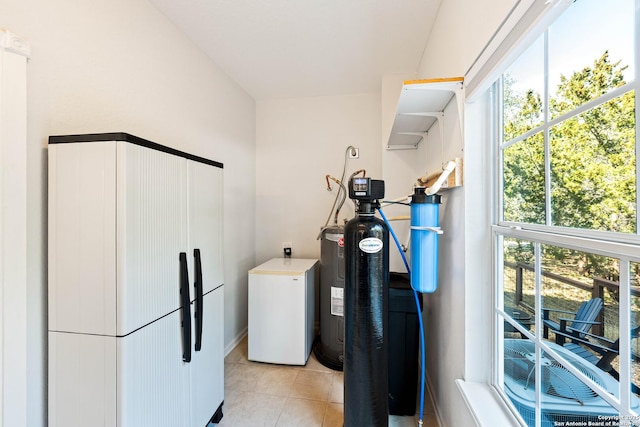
column 135, row 284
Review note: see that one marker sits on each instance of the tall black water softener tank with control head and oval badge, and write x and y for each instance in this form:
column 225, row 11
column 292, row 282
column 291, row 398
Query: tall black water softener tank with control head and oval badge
column 366, row 293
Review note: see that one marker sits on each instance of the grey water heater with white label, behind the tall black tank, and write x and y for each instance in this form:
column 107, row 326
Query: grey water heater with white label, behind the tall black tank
column 329, row 347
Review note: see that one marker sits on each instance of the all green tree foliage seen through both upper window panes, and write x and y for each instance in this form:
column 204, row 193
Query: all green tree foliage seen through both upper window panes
column 592, row 156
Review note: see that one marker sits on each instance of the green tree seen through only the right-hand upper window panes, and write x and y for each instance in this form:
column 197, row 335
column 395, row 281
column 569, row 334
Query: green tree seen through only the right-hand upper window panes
column 593, row 154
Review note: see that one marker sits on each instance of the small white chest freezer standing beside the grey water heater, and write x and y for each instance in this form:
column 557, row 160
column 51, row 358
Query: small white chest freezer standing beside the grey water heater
column 281, row 310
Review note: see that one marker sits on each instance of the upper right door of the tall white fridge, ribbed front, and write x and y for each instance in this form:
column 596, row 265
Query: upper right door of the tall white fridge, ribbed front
column 205, row 221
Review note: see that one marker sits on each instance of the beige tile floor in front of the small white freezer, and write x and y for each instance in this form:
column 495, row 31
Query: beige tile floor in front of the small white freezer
column 261, row 394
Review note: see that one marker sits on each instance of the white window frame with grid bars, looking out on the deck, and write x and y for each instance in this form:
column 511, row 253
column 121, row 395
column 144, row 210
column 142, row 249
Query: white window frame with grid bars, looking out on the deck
column 622, row 246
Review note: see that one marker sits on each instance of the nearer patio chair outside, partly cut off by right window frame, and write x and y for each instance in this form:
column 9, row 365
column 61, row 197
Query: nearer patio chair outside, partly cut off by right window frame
column 598, row 350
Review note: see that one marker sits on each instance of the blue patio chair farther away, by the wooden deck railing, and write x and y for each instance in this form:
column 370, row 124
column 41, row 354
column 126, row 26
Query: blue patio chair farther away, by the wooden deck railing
column 581, row 322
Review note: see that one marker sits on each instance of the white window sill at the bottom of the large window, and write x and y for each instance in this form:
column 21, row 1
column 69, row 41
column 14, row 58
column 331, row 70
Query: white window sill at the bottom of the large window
column 486, row 407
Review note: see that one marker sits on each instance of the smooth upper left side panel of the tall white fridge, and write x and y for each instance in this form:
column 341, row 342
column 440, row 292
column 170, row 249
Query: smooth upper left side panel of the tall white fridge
column 82, row 238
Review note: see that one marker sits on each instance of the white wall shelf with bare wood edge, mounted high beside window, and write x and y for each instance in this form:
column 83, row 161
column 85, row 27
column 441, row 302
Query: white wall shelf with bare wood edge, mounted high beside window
column 421, row 106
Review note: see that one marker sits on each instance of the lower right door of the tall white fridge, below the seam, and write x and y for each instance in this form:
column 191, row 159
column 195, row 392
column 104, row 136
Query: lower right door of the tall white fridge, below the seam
column 207, row 365
